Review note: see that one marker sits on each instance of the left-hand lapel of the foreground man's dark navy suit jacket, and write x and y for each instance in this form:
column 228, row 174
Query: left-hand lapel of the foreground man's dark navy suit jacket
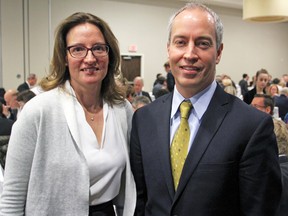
column 163, row 141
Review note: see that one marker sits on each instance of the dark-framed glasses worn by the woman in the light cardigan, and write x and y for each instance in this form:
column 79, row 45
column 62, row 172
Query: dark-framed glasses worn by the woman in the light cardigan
column 79, row 51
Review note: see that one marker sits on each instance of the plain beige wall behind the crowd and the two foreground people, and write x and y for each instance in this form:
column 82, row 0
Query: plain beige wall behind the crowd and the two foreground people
column 247, row 46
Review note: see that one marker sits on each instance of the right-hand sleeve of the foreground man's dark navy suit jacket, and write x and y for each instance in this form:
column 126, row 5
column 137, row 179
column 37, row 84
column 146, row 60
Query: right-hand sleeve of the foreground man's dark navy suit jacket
column 259, row 172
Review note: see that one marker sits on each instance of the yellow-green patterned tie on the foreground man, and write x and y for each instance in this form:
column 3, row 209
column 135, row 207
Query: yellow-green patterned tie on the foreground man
column 179, row 147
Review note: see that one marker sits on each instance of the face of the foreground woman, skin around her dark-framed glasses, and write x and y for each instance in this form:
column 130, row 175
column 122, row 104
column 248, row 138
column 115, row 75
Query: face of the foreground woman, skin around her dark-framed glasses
column 87, row 72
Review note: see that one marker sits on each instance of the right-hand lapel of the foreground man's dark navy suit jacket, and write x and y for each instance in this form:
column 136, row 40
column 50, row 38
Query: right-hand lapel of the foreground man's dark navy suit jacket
column 212, row 120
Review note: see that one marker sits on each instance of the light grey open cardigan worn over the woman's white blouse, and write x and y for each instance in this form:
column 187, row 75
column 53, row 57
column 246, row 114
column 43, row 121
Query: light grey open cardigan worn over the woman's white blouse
column 46, row 172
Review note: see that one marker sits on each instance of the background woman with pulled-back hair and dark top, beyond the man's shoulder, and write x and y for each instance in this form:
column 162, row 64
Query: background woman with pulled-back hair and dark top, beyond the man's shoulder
column 261, row 80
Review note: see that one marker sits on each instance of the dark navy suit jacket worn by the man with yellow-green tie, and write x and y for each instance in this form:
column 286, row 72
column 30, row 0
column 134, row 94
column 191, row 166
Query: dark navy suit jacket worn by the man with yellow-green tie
column 232, row 167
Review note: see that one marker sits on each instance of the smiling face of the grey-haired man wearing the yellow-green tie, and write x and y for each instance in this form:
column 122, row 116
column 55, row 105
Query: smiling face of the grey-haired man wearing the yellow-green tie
column 192, row 51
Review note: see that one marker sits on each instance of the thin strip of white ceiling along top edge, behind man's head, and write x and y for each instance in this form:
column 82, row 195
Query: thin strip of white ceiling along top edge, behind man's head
column 237, row 4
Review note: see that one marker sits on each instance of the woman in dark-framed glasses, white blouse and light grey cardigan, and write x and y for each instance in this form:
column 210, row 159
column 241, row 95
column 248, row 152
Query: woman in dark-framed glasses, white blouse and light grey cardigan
column 68, row 151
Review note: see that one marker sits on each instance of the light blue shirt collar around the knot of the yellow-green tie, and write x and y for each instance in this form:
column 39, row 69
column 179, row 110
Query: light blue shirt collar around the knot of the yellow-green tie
column 200, row 101
